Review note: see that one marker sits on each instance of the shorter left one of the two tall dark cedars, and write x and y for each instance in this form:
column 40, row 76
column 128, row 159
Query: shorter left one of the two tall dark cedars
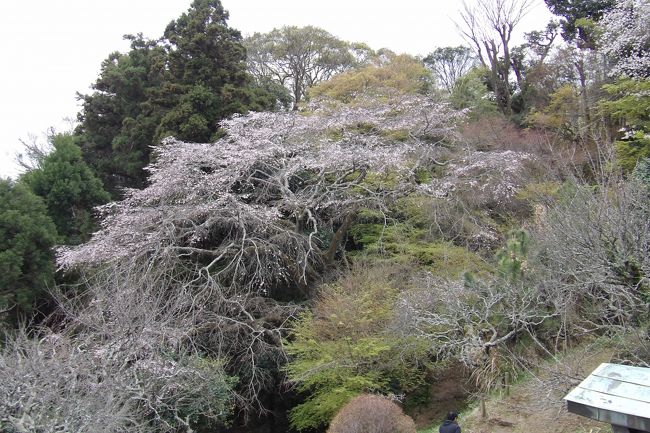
column 119, row 119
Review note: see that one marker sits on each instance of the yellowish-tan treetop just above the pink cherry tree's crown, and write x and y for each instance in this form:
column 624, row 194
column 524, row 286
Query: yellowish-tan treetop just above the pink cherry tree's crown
column 403, row 74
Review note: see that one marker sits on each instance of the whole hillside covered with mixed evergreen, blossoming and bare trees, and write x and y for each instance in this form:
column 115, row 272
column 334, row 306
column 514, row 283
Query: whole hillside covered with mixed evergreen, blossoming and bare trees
column 292, row 232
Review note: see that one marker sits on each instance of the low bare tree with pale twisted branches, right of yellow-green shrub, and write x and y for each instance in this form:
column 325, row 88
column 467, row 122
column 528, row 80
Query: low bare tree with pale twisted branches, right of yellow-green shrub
column 465, row 321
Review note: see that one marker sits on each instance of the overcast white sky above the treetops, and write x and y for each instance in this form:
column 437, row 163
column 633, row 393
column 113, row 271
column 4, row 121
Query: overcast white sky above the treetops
column 51, row 49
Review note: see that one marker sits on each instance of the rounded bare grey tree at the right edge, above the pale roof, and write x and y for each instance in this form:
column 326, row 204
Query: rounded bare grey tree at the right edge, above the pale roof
column 593, row 250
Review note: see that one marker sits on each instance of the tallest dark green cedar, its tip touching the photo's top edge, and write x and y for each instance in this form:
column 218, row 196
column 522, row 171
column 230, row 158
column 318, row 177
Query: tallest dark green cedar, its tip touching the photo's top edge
column 207, row 78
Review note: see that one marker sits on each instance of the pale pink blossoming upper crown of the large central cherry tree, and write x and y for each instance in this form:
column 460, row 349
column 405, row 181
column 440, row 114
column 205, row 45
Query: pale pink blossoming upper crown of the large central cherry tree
column 267, row 170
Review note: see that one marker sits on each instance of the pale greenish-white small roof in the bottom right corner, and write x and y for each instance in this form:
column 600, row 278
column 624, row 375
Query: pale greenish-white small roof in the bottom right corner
column 616, row 394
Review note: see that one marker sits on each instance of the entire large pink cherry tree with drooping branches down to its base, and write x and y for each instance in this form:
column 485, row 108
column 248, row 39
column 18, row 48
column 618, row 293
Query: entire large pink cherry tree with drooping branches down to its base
column 255, row 217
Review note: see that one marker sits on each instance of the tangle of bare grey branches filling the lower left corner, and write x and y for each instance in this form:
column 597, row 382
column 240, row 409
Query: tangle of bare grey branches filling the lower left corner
column 126, row 357
